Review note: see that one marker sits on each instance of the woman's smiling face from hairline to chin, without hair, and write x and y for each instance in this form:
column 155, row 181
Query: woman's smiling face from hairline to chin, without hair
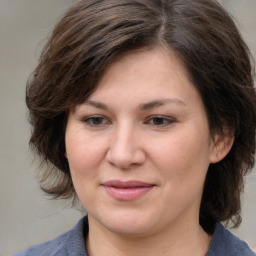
column 139, row 147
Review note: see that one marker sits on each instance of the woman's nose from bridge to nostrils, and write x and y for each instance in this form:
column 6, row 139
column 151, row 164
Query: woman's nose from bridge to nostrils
column 125, row 149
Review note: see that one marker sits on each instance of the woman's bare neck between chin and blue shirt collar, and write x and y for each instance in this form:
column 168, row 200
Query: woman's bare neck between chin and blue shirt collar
column 187, row 240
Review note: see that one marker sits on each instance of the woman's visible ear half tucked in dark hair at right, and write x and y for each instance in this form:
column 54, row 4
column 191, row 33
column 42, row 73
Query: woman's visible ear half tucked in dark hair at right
column 221, row 145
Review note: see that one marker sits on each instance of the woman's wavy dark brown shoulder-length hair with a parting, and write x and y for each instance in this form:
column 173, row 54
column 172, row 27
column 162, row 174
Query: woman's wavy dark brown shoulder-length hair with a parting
column 93, row 33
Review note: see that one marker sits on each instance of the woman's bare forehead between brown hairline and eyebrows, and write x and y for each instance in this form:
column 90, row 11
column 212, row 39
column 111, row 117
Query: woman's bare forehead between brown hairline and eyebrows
column 144, row 74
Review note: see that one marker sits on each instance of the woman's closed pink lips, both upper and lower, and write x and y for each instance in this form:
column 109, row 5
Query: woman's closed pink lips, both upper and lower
column 127, row 190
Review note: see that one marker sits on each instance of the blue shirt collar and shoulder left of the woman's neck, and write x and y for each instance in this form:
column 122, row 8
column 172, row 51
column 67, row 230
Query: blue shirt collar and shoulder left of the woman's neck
column 70, row 243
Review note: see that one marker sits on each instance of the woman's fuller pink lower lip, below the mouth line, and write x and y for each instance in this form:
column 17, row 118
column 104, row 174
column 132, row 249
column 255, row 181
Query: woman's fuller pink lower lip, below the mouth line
column 127, row 194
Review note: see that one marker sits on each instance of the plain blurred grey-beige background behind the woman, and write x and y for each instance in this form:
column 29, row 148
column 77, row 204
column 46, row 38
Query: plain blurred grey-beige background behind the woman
column 26, row 216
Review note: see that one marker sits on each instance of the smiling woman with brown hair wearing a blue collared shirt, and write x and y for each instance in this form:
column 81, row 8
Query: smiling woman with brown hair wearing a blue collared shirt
column 146, row 112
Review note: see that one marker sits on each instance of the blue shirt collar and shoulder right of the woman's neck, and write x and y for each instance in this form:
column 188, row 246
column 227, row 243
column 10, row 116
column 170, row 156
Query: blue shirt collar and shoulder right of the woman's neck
column 224, row 243
